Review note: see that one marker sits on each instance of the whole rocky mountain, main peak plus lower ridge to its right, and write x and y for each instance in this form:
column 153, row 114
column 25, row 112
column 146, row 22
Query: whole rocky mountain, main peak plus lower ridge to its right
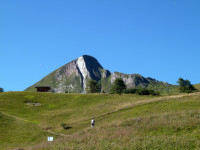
column 73, row 77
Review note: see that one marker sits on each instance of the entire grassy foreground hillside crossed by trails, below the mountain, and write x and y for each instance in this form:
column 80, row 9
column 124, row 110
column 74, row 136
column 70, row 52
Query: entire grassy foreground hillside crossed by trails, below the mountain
column 122, row 121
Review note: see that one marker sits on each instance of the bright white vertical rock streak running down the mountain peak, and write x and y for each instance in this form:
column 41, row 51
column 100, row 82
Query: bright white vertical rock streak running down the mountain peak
column 82, row 67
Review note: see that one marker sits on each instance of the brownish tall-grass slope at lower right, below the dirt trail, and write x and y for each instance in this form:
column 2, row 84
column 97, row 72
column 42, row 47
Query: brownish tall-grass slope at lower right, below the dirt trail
column 168, row 124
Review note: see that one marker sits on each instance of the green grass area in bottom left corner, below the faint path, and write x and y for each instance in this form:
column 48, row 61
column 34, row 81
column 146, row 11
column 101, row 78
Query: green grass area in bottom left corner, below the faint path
column 16, row 132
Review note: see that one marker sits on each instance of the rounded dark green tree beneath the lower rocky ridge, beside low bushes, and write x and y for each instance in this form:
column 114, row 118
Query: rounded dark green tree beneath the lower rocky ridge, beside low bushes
column 118, row 86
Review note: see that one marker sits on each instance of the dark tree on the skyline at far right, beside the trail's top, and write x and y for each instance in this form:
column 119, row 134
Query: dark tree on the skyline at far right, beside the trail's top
column 185, row 86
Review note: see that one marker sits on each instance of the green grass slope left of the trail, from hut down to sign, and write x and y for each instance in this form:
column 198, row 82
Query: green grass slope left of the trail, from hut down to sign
column 28, row 117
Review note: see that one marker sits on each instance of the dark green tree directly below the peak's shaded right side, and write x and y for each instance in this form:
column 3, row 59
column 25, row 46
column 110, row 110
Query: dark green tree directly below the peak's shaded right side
column 93, row 86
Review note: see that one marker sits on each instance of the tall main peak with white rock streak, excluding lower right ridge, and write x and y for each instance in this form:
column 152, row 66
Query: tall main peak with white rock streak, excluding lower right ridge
column 73, row 76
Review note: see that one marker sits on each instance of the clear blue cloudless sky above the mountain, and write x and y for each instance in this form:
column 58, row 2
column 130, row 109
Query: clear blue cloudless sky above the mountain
column 154, row 38
